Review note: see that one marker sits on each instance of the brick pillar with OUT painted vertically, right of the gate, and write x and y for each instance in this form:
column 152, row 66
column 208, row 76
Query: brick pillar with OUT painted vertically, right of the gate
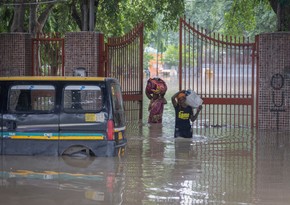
column 274, row 81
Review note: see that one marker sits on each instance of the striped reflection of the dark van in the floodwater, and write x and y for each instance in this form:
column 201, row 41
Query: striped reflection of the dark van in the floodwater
column 58, row 180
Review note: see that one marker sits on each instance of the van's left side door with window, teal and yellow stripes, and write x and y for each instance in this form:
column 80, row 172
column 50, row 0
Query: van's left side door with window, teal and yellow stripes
column 31, row 121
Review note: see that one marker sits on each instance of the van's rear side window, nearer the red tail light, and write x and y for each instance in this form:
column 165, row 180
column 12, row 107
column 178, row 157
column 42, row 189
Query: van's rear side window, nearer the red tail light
column 82, row 98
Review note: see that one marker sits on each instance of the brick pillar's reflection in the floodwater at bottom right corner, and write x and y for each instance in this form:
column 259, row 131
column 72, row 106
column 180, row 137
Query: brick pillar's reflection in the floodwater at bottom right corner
column 273, row 168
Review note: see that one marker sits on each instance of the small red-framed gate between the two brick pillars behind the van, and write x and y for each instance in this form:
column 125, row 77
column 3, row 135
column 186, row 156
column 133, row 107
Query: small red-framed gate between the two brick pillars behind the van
column 48, row 55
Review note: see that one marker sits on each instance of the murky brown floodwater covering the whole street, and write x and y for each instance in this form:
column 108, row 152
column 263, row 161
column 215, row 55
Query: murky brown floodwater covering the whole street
column 235, row 166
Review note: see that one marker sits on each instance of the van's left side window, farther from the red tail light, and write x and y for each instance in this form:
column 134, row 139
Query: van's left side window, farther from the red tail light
column 31, row 98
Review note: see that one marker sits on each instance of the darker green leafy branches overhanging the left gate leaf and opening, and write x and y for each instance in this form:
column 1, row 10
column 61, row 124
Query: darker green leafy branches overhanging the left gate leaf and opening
column 127, row 14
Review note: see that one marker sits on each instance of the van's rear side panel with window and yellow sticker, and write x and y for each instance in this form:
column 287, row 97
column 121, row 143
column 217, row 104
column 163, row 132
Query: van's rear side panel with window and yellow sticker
column 82, row 119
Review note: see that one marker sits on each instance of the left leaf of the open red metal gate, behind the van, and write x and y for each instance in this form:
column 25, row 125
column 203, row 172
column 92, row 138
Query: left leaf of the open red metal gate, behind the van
column 124, row 61
